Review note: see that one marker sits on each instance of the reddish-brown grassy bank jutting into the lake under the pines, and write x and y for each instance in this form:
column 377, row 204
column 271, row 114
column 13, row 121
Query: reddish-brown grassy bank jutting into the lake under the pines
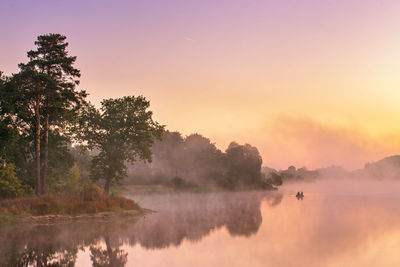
column 53, row 208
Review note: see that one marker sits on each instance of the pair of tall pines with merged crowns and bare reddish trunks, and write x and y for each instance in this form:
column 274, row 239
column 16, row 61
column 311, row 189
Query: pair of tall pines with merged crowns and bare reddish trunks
column 42, row 98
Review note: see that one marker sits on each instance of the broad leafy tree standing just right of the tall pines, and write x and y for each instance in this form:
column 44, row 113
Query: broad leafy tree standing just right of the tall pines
column 122, row 130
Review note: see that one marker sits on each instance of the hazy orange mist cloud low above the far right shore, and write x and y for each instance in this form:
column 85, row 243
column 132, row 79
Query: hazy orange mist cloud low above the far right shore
column 306, row 142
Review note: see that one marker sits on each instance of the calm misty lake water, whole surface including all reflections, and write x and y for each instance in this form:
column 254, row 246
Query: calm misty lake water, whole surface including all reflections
column 336, row 224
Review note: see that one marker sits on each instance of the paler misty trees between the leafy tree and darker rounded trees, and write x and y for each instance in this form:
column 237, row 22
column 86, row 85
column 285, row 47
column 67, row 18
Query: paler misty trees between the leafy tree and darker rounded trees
column 193, row 158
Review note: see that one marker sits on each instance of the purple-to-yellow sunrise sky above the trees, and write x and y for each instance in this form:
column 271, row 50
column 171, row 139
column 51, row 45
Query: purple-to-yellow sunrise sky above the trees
column 310, row 83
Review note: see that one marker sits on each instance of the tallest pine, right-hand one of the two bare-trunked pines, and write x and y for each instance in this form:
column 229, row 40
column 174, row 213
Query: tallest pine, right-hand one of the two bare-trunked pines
column 60, row 100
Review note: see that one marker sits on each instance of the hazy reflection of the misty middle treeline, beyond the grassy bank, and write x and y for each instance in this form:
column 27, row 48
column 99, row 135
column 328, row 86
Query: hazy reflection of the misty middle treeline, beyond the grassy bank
column 193, row 217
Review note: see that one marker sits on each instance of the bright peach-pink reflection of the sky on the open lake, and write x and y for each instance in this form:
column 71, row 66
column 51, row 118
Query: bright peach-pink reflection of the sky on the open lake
column 318, row 231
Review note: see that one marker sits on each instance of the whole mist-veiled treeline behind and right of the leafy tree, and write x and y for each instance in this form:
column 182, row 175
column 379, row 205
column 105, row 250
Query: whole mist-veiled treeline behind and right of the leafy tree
column 194, row 160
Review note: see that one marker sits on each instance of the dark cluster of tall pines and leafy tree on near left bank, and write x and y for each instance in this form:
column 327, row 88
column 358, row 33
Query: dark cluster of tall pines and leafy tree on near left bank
column 43, row 113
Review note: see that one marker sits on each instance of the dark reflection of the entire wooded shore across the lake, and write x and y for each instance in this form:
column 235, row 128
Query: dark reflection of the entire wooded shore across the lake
column 180, row 217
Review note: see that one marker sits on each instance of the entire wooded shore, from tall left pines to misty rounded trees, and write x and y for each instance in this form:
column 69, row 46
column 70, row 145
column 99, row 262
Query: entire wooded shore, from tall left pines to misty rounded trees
column 43, row 112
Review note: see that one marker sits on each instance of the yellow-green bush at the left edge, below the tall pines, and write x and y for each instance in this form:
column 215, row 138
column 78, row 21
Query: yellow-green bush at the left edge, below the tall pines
column 10, row 185
